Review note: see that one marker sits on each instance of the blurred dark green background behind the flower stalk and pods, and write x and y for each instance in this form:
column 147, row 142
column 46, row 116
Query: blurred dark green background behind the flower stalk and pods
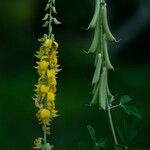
column 20, row 26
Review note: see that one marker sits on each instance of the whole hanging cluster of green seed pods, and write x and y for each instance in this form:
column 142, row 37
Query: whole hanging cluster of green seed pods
column 102, row 35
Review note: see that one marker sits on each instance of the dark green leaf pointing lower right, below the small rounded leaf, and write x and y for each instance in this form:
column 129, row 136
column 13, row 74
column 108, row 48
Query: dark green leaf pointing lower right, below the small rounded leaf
column 132, row 110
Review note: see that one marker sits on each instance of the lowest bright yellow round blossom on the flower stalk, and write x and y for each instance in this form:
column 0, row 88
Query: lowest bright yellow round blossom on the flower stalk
column 43, row 116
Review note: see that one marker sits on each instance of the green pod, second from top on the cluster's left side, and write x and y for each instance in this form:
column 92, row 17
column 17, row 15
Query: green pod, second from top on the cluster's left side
column 95, row 41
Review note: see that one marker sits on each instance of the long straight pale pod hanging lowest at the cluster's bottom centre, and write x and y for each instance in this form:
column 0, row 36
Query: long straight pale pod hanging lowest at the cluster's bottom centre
column 102, row 89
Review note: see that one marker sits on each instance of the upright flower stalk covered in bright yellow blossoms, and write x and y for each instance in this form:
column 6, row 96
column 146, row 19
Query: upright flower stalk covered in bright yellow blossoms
column 47, row 68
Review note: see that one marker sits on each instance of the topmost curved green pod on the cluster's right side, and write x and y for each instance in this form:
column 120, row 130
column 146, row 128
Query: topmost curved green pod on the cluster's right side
column 108, row 34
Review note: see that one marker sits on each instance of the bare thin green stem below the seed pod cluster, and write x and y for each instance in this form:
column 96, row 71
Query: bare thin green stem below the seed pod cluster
column 112, row 126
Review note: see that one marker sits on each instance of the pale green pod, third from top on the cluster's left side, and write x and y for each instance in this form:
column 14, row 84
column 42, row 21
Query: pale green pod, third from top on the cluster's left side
column 97, row 70
